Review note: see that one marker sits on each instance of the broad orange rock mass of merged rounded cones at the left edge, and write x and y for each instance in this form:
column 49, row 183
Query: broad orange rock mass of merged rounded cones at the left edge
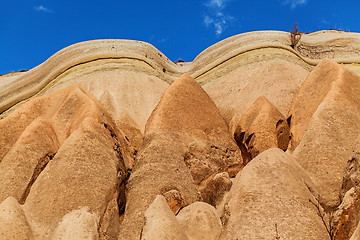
column 58, row 150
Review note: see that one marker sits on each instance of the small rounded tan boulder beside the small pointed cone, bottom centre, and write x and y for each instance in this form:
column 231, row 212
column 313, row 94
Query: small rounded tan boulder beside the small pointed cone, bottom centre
column 199, row 221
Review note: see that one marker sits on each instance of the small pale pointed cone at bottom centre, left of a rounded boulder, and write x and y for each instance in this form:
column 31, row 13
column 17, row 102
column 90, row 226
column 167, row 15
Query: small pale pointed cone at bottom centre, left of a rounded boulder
column 161, row 223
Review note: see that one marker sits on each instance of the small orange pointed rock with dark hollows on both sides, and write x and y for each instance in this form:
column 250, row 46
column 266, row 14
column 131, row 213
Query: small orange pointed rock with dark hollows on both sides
column 261, row 127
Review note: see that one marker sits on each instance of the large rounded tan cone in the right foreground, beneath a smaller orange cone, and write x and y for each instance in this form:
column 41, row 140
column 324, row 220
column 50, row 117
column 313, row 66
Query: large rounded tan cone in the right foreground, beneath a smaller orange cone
column 269, row 199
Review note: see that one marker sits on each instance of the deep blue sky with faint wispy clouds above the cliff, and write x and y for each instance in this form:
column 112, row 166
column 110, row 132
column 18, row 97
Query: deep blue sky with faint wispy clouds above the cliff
column 33, row 30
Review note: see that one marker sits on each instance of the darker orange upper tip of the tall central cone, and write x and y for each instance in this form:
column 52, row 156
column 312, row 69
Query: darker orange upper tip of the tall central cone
column 186, row 108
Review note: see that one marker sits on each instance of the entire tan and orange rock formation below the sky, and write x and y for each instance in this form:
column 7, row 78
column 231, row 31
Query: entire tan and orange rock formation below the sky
column 109, row 139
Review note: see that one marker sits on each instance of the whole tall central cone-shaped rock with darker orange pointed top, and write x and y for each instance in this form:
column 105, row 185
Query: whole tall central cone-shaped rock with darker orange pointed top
column 186, row 144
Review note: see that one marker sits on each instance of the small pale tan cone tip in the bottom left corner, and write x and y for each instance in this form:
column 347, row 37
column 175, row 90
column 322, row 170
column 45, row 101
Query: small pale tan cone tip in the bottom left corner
column 13, row 222
